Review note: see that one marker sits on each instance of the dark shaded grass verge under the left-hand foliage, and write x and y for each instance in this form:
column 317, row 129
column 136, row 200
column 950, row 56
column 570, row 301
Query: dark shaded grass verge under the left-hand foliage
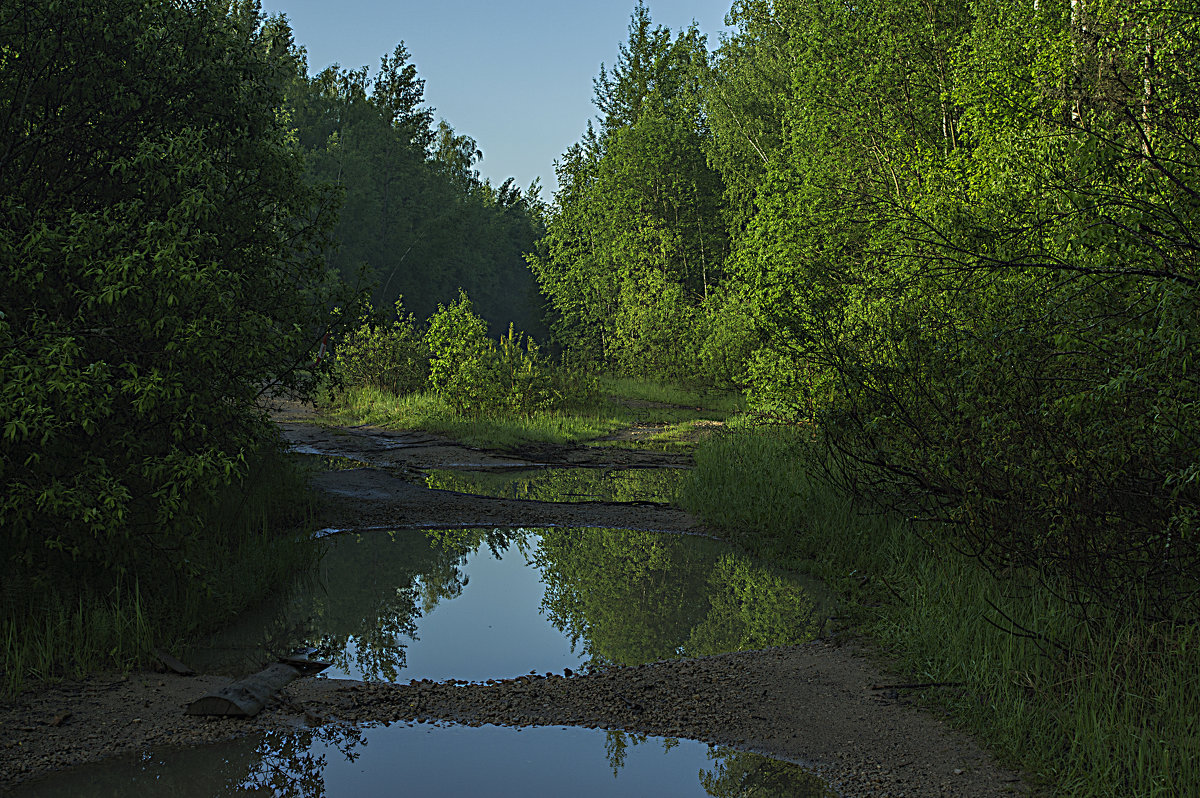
column 254, row 542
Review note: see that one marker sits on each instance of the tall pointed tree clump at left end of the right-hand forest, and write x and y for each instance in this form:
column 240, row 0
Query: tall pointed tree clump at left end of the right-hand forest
column 637, row 241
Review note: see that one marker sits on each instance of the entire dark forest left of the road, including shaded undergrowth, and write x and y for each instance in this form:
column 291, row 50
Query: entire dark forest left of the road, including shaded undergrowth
column 187, row 217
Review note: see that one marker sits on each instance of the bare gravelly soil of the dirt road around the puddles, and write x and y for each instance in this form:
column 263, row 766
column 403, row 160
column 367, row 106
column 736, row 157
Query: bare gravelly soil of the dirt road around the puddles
column 830, row 705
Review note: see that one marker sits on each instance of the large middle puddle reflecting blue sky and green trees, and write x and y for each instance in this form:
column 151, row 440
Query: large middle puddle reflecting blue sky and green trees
column 481, row 604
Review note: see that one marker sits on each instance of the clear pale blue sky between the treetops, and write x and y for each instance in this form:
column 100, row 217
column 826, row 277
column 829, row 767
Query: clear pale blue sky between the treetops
column 514, row 75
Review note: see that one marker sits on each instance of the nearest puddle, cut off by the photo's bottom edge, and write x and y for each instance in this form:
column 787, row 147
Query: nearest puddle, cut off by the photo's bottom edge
column 429, row 760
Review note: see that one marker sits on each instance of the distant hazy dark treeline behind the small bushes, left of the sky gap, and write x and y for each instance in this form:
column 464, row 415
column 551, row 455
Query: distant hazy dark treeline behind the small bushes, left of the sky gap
column 416, row 219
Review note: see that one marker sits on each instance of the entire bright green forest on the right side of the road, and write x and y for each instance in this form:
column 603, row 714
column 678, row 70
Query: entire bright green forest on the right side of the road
column 958, row 238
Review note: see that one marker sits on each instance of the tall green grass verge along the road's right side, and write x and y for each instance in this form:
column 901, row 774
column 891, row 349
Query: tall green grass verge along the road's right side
column 1118, row 716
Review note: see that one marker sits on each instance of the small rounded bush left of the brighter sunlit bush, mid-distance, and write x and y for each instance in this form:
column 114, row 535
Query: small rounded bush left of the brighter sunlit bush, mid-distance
column 389, row 356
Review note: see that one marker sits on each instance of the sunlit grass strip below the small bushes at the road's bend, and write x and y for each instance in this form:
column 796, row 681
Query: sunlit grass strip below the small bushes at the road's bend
column 428, row 412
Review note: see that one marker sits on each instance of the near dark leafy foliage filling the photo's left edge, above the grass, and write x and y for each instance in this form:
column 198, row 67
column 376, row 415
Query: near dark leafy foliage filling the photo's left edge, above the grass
column 163, row 271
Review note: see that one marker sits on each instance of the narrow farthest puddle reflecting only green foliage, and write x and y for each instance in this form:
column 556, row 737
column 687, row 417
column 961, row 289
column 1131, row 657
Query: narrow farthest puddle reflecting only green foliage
column 566, row 484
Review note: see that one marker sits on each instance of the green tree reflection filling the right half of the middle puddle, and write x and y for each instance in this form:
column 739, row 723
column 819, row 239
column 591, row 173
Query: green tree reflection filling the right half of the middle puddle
column 635, row 597
